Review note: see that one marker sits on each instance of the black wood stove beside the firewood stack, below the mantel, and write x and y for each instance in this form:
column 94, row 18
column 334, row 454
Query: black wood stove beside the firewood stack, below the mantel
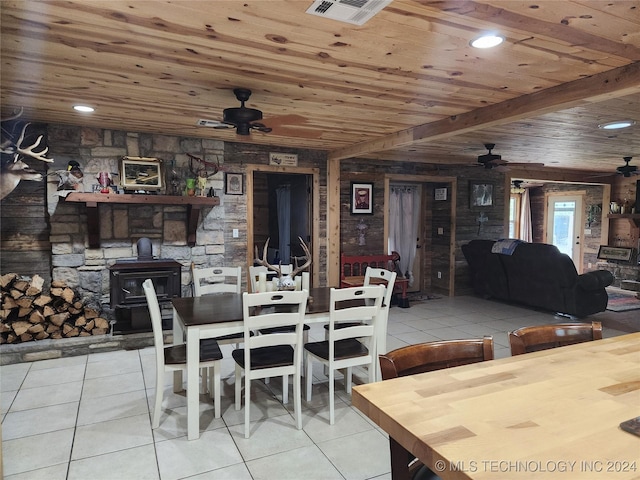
column 127, row 296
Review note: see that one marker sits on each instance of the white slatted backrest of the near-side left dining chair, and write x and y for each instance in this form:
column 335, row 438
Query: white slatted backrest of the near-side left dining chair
column 271, row 310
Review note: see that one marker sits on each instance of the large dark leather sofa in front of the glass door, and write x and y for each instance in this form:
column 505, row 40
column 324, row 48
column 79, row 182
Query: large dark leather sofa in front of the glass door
column 538, row 275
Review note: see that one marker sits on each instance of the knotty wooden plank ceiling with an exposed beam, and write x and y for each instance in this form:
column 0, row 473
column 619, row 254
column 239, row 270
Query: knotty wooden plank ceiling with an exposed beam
column 406, row 85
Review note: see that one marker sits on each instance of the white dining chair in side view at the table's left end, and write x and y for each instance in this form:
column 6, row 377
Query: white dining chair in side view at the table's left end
column 174, row 357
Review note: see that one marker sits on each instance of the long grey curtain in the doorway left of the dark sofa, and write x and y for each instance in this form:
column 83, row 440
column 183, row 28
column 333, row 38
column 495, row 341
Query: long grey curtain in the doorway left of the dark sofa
column 404, row 208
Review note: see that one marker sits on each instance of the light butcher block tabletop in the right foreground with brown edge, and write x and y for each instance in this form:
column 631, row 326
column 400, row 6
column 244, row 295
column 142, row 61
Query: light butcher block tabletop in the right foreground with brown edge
column 553, row 414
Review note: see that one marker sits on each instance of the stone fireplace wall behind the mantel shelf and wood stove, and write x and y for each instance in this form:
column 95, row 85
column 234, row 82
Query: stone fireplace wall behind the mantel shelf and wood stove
column 121, row 225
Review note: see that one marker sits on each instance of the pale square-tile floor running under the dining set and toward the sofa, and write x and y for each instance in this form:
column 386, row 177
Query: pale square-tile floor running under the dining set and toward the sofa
column 88, row 417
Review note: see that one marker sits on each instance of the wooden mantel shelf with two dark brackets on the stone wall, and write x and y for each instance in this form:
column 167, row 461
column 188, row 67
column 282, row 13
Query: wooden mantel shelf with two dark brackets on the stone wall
column 91, row 200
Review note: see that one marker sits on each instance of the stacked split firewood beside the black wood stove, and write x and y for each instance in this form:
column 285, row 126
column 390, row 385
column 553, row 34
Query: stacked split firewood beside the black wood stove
column 29, row 312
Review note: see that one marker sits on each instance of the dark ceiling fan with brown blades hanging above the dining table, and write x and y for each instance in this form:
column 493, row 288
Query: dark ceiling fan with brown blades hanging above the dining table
column 245, row 119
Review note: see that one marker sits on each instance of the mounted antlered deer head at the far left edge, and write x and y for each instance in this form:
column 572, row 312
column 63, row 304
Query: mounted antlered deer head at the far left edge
column 12, row 168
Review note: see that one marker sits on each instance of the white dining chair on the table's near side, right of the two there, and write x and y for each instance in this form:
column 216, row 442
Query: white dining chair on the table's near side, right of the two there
column 349, row 346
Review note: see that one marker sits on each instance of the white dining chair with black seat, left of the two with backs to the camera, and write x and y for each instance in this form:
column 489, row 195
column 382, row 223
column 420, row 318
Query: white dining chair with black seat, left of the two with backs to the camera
column 271, row 354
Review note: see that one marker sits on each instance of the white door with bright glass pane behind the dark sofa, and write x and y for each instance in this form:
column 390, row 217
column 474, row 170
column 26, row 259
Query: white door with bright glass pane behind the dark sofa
column 564, row 225
